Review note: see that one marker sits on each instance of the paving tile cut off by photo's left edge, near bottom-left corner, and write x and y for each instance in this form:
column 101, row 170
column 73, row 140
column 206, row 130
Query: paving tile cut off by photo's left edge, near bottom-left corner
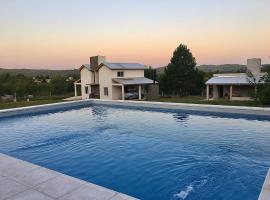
column 9, row 188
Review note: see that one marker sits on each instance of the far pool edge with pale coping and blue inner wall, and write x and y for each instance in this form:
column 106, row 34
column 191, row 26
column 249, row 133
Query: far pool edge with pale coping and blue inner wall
column 242, row 110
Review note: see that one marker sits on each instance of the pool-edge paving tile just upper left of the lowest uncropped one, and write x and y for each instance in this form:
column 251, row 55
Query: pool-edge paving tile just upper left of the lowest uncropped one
column 35, row 177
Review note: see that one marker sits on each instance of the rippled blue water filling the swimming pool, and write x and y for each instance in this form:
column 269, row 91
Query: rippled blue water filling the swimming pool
column 147, row 154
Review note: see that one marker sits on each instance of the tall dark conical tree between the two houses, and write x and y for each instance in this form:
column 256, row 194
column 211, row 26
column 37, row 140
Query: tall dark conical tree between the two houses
column 181, row 78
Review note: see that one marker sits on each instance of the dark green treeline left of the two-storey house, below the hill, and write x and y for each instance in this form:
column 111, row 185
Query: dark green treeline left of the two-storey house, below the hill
column 24, row 86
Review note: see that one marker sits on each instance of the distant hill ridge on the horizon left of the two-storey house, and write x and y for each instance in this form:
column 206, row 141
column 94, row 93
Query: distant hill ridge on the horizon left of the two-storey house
column 41, row 72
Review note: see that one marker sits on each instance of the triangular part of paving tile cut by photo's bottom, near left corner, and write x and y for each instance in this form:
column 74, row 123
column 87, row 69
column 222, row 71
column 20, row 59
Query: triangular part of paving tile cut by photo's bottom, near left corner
column 30, row 195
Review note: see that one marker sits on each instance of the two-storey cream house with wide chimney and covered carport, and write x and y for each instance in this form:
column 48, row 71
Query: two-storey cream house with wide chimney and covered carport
column 115, row 81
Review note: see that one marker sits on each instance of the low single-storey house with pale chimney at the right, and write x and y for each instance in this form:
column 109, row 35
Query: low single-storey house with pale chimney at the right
column 236, row 86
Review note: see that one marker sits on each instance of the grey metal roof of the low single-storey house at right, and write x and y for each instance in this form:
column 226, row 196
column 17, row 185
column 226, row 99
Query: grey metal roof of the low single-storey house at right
column 233, row 80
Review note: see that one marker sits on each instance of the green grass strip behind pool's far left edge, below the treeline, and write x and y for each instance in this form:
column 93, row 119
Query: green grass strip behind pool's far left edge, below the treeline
column 25, row 103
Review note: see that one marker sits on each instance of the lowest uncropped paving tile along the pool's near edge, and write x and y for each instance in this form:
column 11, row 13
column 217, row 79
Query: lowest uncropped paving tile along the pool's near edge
column 59, row 186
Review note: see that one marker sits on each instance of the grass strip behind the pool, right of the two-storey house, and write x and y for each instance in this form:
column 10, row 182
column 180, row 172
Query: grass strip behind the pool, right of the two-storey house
column 201, row 100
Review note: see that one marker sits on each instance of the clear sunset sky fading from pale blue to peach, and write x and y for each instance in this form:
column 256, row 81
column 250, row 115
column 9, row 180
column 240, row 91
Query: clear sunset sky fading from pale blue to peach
column 63, row 34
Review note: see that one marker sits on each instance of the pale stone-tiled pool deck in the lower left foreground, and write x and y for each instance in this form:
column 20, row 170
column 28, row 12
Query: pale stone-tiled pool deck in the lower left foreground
column 20, row 180
